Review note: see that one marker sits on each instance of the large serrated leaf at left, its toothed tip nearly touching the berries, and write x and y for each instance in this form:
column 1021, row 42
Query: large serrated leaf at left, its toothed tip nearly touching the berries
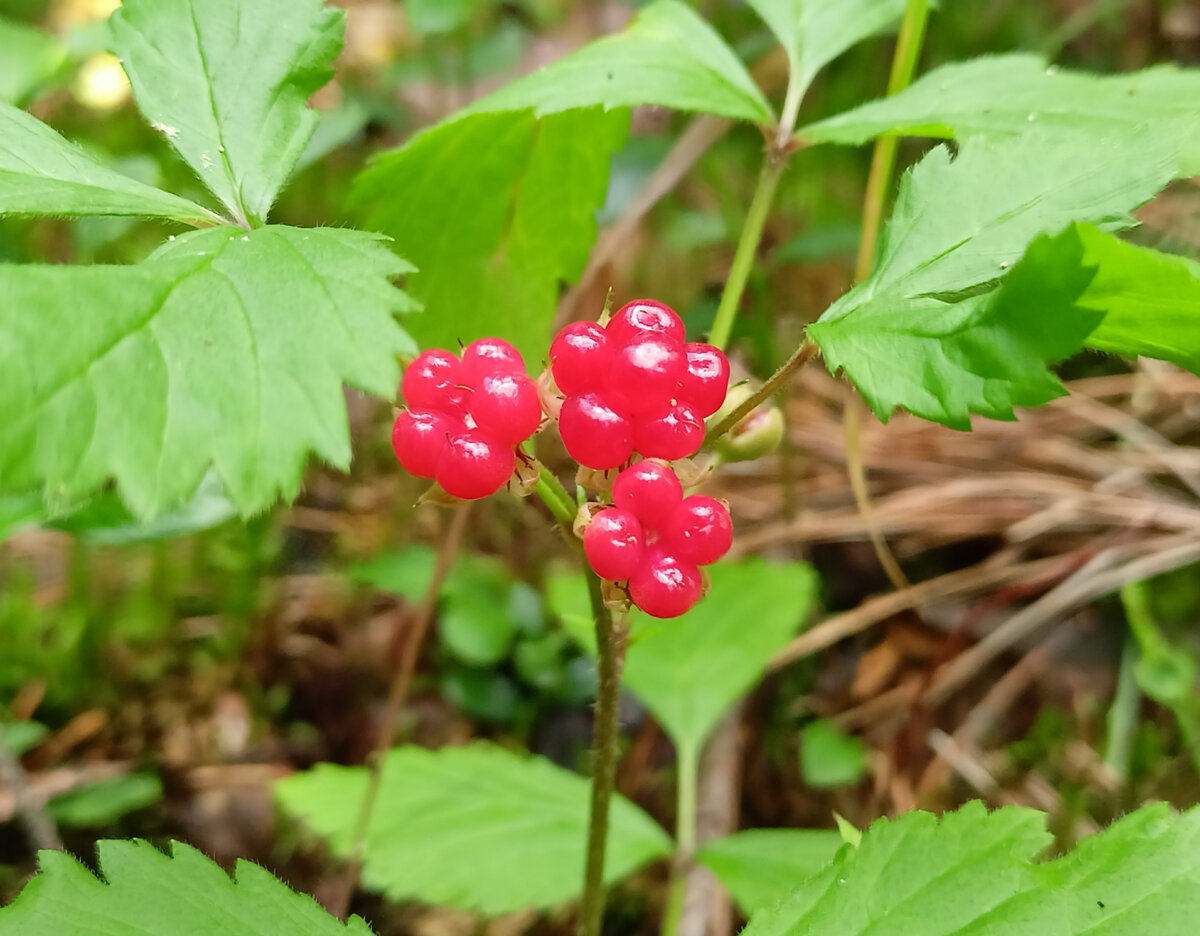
column 223, row 349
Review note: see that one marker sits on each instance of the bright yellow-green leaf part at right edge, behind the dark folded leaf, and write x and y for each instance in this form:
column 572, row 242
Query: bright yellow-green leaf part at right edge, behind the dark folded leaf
column 1151, row 301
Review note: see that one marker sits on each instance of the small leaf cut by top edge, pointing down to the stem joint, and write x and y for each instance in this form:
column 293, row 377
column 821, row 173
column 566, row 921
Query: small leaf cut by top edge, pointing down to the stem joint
column 814, row 33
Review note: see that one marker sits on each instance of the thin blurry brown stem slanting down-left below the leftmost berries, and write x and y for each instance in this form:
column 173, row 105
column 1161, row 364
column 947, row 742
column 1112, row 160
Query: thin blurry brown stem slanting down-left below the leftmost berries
column 398, row 695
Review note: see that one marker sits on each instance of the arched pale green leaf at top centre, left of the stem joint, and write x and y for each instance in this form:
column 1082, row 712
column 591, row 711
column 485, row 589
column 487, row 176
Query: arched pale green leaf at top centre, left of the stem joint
column 668, row 56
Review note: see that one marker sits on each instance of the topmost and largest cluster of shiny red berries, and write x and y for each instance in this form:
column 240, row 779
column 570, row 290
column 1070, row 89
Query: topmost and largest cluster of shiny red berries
column 635, row 387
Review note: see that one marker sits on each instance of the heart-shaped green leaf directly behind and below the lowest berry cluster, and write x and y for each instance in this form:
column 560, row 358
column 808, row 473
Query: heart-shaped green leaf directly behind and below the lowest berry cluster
column 689, row 670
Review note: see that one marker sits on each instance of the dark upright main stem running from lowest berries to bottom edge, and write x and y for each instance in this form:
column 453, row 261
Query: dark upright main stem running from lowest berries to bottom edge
column 610, row 659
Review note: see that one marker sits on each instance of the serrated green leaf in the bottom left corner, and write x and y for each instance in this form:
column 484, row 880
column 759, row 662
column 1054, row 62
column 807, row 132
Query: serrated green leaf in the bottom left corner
column 147, row 893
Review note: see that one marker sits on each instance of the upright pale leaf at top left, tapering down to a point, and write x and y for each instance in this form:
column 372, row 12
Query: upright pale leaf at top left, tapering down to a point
column 229, row 82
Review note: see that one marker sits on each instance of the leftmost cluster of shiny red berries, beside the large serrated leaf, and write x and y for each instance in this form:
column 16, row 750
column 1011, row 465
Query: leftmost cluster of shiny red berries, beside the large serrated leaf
column 465, row 417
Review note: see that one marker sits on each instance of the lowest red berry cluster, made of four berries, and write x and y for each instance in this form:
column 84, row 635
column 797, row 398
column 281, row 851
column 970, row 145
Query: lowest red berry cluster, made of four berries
column 656, row 538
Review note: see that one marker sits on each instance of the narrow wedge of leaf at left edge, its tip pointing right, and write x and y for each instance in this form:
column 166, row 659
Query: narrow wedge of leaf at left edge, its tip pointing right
column 44, row 175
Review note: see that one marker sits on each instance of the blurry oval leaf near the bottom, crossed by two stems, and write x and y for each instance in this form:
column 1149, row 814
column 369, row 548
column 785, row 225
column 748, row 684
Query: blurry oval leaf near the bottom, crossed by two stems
column 477, row 827
